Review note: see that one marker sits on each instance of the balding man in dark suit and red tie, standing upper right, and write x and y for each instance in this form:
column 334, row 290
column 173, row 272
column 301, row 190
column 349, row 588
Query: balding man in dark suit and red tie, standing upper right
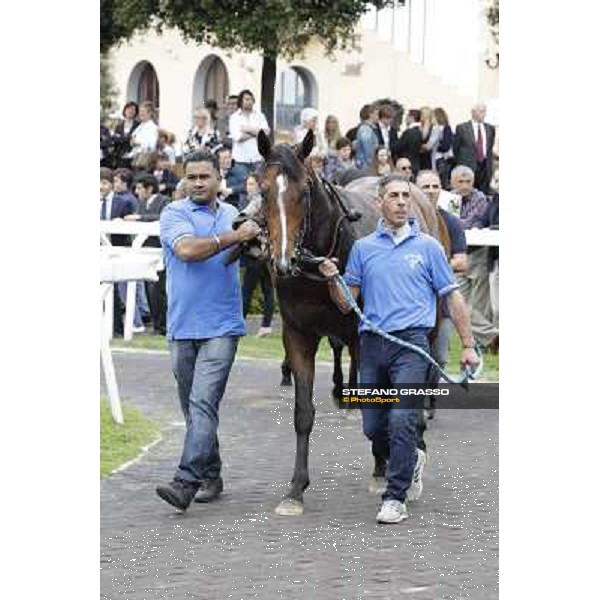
column 473, row 147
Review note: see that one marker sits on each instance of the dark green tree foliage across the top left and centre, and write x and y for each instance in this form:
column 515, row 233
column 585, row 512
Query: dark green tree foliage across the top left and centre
column 271, row 27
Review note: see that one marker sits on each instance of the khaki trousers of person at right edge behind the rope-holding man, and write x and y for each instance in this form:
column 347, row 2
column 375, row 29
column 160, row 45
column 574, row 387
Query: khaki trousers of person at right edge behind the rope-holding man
column 475, row 288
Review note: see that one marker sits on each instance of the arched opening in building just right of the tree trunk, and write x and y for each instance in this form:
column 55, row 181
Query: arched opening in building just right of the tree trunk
column 296, row 89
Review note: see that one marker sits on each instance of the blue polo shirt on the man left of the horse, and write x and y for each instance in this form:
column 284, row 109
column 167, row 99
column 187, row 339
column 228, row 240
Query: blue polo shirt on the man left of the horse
column 204, row 297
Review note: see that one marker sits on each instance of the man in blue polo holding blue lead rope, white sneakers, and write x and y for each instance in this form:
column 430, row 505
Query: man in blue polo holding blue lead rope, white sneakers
column 398, row 271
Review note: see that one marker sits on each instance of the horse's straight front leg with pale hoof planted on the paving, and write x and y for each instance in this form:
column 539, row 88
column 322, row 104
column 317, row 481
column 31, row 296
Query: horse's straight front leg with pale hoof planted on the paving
column 301, row 350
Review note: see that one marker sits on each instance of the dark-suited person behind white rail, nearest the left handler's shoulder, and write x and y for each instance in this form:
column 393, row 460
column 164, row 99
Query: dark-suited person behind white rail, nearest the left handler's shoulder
column 151, row 205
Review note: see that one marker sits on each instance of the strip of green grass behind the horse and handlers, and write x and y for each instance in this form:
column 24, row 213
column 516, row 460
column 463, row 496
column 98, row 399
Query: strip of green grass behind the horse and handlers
column 272, row 347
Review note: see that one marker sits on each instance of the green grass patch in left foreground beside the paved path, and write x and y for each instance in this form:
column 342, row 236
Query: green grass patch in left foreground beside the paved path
column 120, row 443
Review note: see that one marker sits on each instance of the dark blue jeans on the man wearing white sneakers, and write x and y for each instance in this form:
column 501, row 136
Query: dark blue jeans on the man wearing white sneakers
column 393, row 431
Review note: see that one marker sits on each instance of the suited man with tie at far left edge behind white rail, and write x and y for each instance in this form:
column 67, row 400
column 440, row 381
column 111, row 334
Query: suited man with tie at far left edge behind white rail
column 113, row 206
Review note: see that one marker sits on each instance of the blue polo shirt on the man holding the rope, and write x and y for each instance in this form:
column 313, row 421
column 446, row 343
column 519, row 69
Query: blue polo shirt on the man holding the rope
column 399, row 283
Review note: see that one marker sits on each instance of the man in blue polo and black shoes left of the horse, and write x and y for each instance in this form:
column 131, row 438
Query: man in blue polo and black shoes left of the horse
column 204, row 320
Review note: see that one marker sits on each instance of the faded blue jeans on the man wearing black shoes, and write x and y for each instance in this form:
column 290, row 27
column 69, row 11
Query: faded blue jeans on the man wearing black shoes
column 201, row 368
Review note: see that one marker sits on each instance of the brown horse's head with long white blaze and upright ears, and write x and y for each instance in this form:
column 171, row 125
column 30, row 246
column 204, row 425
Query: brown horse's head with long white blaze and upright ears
column 286, row 196
